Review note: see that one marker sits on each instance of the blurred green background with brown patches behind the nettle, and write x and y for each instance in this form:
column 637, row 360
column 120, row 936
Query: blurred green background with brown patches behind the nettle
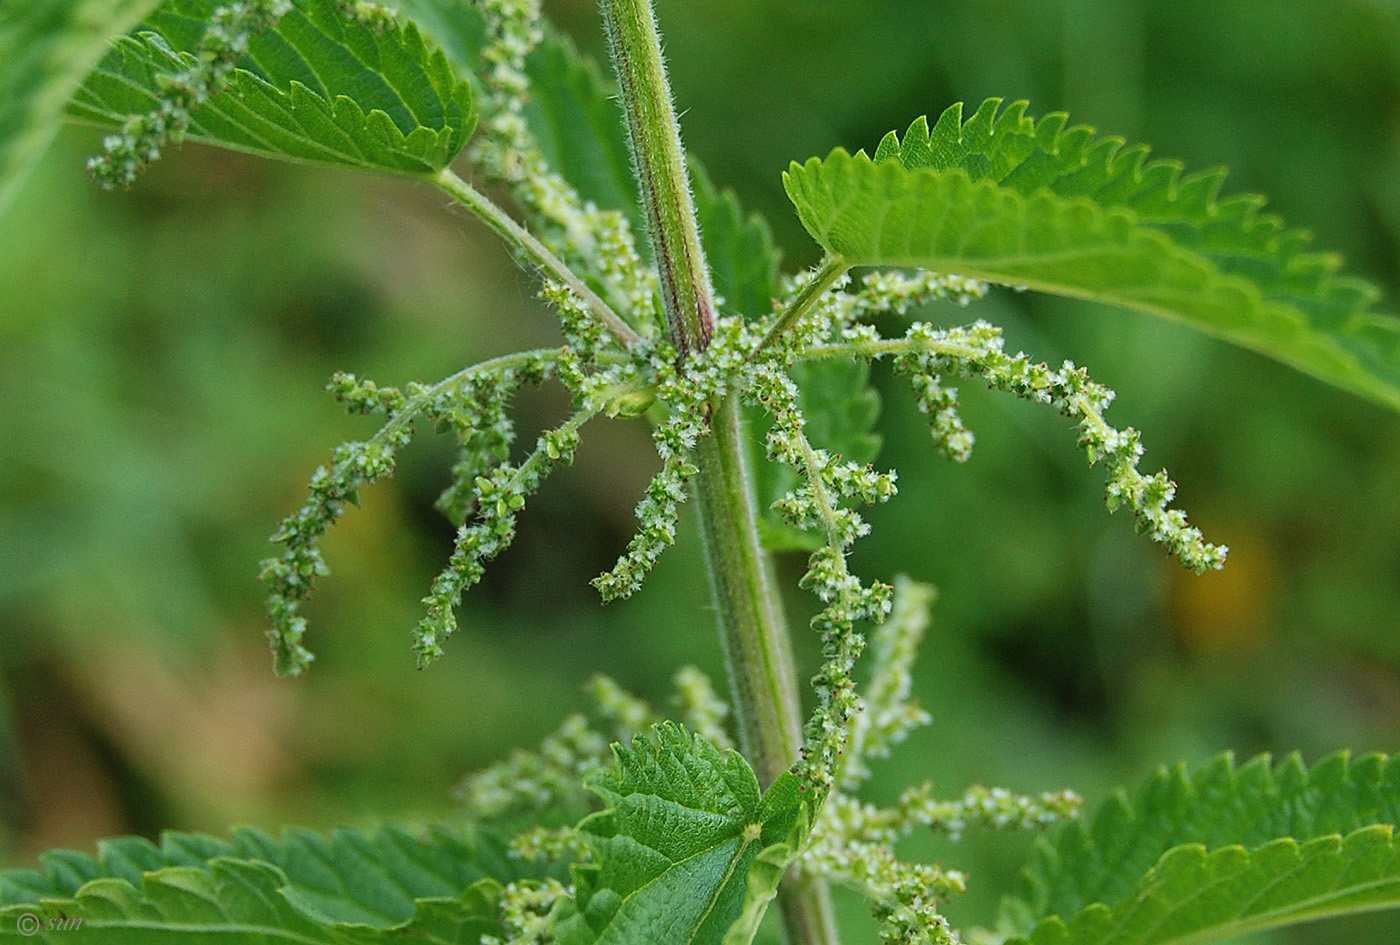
column 163, row 353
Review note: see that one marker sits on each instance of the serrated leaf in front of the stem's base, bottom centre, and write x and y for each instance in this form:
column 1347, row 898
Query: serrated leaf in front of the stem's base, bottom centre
column 688, row 852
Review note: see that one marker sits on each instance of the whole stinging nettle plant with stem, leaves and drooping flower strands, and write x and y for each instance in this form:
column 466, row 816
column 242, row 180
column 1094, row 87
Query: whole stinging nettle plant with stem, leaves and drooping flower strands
column 626, row 828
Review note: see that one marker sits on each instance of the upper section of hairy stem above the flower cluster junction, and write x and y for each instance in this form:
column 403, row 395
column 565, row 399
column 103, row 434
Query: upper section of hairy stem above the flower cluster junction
column 660, row 163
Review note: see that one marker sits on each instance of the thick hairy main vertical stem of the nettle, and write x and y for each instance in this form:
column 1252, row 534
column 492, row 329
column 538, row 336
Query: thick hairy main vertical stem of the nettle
column 748, row 605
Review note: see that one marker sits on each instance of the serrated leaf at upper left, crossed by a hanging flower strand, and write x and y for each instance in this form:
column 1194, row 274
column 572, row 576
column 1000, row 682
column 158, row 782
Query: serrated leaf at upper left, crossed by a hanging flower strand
column 320, row 89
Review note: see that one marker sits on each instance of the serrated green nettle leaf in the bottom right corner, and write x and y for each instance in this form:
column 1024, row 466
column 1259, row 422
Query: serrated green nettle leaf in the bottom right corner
column 1277, row 834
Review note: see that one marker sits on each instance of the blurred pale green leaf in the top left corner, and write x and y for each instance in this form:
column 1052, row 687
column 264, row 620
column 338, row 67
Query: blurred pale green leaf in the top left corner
column 47, row 48
